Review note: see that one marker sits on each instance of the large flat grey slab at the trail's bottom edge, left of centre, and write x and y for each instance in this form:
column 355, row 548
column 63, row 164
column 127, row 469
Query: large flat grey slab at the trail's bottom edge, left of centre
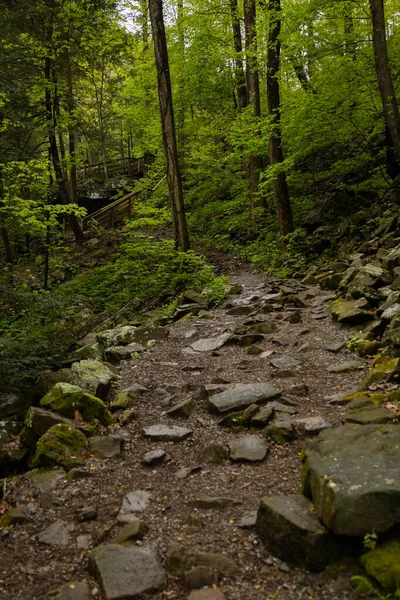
column 125, row 572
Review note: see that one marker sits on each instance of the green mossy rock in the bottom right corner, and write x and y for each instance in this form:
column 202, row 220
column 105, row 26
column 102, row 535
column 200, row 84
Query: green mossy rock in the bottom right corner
column 383, row 563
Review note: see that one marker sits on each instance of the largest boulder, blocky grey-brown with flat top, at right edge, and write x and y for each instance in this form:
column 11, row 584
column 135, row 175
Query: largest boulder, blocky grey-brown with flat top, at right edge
column 351, row 474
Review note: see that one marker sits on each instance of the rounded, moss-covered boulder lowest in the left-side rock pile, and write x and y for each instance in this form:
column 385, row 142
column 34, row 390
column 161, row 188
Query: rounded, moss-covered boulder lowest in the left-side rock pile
column 61, row 445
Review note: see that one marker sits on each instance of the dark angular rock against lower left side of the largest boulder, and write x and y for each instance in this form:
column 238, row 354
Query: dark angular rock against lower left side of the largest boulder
column 290, row 527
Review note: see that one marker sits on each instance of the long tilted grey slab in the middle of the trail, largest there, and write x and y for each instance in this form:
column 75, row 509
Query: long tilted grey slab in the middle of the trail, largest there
column 241, row 396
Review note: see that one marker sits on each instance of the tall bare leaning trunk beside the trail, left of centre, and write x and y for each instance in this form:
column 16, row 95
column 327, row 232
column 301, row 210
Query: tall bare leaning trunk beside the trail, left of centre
column 168, row 126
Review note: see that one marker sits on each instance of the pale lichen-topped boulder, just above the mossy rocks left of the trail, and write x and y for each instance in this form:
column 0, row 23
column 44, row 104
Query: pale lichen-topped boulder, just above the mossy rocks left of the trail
column 93, row 377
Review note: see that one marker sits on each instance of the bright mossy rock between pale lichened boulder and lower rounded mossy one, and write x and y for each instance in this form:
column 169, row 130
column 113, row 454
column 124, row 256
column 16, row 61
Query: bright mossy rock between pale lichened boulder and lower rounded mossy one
column 66, row 399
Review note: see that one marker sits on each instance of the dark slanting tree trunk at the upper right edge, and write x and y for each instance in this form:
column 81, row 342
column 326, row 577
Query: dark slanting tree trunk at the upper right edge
column 383, row 74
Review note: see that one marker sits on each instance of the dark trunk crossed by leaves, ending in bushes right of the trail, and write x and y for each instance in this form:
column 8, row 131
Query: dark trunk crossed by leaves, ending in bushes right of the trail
column 284, row 209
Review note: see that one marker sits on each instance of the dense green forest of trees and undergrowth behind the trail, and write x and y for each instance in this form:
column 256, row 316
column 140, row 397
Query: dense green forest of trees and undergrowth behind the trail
column 288, row 143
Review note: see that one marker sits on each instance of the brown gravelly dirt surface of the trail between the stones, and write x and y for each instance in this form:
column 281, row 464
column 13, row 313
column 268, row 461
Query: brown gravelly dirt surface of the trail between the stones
column 31, row 569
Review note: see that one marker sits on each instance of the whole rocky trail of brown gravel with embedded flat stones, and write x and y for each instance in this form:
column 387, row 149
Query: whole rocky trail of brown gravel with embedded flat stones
column 210, row 417
